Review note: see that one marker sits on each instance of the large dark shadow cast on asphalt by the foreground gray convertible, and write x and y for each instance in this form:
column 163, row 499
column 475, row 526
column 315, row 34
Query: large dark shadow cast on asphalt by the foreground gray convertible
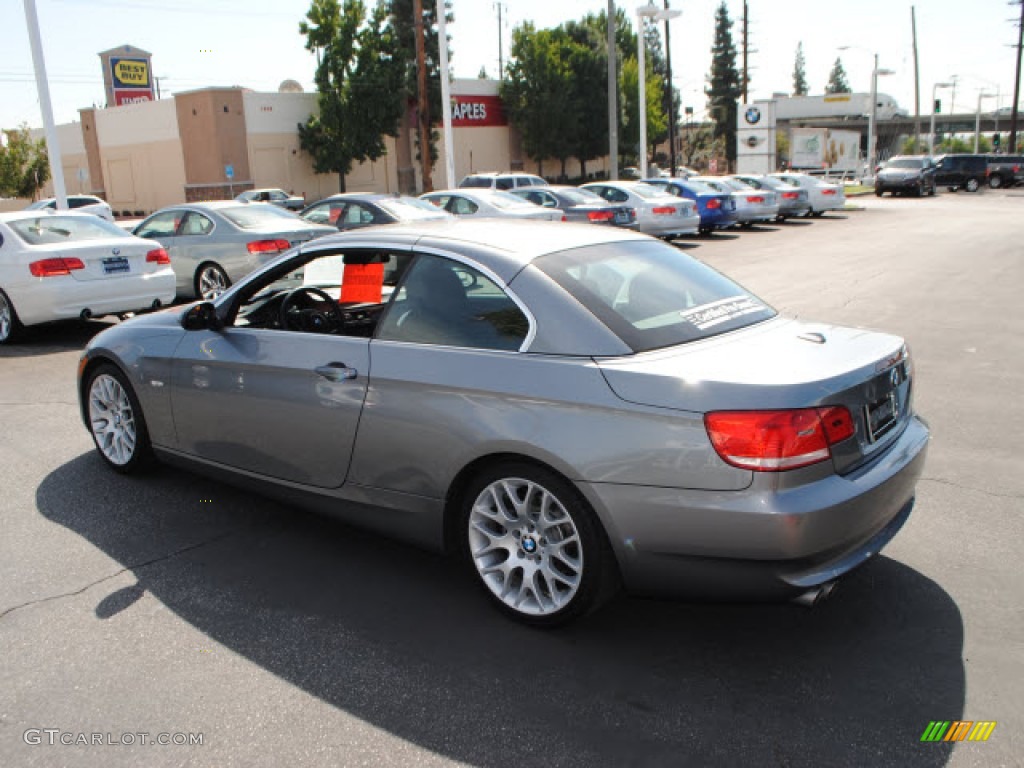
column 404, row 641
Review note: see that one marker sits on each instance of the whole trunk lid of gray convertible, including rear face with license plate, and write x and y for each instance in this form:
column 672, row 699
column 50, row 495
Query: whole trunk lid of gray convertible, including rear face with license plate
column 781, row 364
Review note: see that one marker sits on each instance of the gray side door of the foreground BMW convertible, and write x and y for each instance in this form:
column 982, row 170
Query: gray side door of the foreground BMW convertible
column 280, row 404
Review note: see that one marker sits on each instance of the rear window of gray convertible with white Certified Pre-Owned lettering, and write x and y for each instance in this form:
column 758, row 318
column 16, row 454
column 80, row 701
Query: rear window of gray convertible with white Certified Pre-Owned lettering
column 651, row 295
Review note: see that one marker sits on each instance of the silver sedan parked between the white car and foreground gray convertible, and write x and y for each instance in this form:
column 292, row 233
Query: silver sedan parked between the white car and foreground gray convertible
column 212, row 245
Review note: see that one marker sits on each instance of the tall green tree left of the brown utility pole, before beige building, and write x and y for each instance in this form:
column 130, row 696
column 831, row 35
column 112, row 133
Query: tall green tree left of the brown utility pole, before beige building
column 360, row 84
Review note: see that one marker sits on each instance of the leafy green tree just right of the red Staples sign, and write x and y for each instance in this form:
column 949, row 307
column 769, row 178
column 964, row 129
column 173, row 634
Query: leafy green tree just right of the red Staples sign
column 538, row 83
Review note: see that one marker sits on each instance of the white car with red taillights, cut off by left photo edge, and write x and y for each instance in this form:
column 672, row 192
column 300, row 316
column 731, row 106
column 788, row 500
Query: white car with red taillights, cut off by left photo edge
column 64, row 265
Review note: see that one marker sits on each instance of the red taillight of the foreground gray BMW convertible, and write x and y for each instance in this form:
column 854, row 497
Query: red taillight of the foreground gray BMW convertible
column 777, row 441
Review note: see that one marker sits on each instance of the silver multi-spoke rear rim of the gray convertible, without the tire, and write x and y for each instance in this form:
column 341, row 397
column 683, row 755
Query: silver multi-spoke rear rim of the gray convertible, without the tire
column 526, row 546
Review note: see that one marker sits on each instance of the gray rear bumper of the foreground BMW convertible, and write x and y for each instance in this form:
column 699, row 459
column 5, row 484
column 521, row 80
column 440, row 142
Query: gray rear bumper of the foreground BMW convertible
column 763, row 542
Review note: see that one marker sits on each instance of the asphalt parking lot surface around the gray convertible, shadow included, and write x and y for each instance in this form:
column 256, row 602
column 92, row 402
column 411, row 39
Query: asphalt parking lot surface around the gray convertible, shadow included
column 174, row 605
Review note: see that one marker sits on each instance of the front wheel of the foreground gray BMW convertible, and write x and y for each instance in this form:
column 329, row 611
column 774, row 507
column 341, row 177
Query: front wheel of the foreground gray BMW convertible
column 116, row 421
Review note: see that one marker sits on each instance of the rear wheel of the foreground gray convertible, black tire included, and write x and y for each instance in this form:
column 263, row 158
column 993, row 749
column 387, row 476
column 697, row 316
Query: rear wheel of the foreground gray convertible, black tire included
column 536, row 545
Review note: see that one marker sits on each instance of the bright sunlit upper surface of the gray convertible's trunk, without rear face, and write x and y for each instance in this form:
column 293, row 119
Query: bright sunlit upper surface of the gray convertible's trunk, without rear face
column 778, row 364
